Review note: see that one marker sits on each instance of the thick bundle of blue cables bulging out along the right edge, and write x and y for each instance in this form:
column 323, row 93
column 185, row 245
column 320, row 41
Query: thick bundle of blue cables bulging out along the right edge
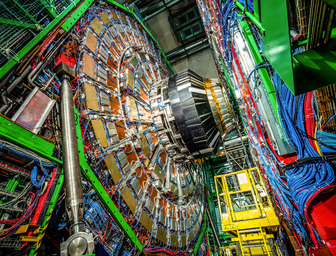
column 303, row 181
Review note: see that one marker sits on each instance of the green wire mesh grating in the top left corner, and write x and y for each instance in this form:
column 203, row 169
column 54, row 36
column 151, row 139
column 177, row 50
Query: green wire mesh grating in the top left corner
column 22, row 20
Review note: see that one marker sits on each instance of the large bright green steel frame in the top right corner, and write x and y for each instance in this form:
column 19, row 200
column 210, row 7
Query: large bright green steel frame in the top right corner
column 302, row 72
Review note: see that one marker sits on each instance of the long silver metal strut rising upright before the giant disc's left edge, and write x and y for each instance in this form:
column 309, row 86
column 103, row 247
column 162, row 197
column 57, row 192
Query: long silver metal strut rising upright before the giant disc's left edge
column 74, row 200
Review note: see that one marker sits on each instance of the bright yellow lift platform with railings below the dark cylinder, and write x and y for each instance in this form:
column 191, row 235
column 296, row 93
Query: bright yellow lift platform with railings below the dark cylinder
column 247, row 213
